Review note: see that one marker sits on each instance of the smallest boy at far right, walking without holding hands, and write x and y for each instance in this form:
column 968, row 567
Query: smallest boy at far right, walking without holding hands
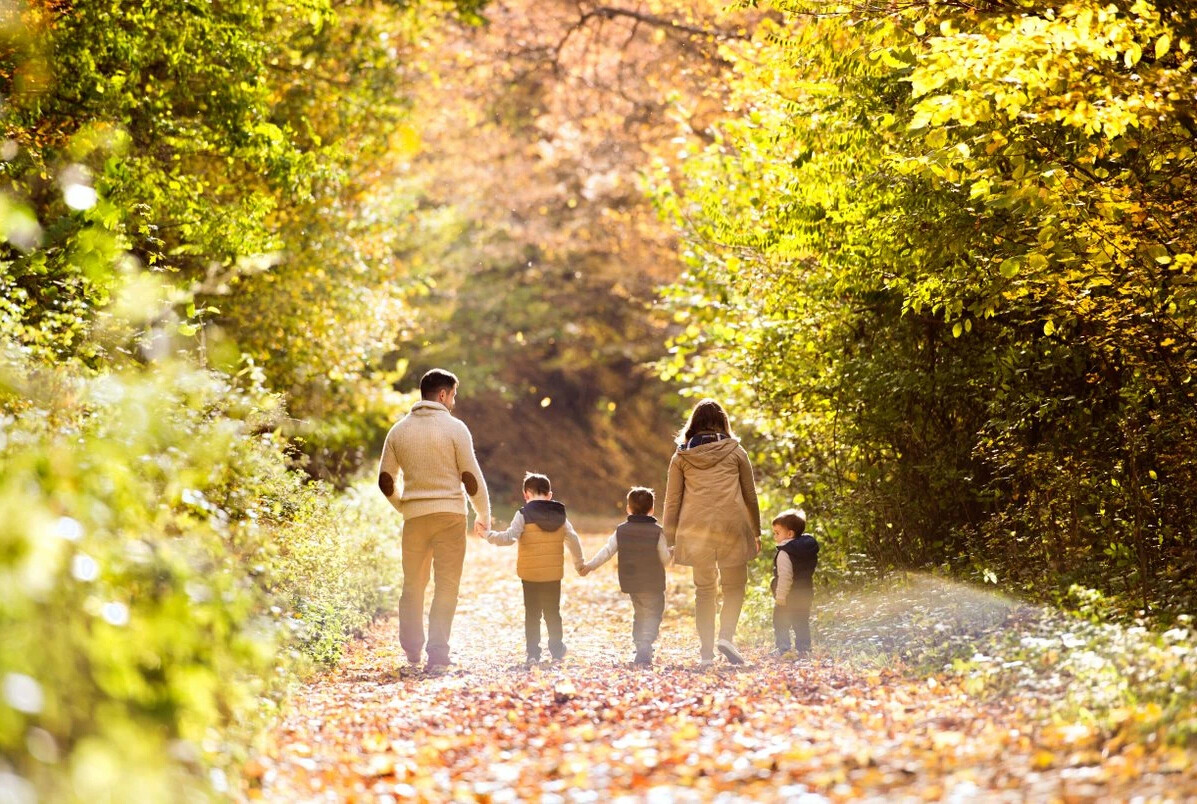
column 794, row 569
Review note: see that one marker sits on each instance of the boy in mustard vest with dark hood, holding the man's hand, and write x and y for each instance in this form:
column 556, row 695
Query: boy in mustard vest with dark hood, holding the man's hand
column 543, row 533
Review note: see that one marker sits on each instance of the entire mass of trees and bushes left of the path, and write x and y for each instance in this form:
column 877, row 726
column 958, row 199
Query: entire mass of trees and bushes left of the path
column 199, row 263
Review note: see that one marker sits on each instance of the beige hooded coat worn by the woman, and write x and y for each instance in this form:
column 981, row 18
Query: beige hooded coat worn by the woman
column 712, row 515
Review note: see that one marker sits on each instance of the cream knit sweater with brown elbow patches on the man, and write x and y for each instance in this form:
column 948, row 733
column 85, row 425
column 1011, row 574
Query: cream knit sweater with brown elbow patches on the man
column 432, row 458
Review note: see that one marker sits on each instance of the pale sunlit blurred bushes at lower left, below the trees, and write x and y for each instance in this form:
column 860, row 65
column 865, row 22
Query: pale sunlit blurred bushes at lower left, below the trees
column 163, row 574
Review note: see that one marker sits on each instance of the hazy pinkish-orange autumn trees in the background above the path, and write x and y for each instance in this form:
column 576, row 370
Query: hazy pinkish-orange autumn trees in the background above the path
column 556, row 109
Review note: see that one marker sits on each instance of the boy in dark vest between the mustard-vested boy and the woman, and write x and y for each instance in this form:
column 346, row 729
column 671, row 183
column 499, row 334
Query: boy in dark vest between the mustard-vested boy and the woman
column 643, row 558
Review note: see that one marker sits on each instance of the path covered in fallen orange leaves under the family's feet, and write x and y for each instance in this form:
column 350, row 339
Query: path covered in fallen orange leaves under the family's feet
column 594, row 727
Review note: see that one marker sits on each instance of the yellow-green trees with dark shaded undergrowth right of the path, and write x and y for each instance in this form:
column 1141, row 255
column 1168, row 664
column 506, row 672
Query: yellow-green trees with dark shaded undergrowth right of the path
column 941, row 260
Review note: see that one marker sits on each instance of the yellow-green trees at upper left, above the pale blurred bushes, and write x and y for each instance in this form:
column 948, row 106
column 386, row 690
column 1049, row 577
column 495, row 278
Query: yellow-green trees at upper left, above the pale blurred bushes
column 265, row 188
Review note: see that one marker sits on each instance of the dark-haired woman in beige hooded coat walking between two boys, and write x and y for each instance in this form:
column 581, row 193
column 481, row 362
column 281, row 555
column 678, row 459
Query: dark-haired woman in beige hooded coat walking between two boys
column 713, row 521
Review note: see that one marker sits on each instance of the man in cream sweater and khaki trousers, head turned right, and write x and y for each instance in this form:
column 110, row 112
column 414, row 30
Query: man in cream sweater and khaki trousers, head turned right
column 428, row 460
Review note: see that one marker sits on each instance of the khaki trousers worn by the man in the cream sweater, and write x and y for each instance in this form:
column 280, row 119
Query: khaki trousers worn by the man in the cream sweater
column 434, row 545
